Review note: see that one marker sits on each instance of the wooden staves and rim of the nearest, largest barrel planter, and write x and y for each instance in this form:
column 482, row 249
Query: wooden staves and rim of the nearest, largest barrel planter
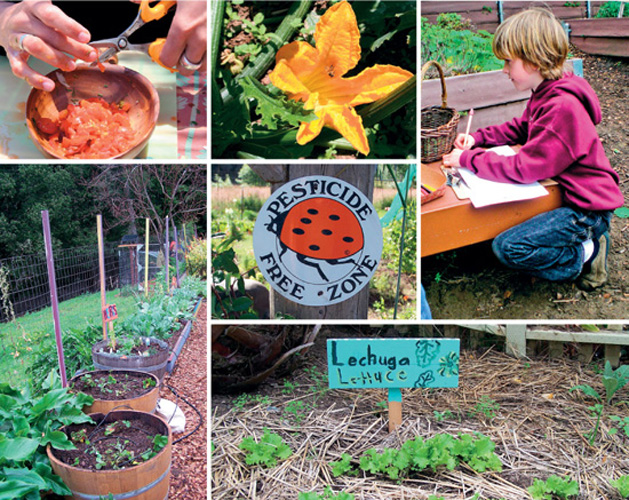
column 148, row 480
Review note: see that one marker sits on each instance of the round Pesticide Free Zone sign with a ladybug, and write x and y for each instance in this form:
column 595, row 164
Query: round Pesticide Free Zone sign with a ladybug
column 317, row 240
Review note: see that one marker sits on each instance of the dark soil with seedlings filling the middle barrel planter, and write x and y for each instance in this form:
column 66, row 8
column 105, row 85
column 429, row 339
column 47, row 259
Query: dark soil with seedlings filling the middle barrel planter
column 114, row 385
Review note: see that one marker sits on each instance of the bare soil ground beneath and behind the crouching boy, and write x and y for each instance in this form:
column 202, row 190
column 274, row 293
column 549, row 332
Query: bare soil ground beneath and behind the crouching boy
column 471, row 283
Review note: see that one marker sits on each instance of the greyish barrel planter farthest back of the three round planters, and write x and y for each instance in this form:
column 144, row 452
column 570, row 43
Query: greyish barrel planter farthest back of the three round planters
column 154, row 363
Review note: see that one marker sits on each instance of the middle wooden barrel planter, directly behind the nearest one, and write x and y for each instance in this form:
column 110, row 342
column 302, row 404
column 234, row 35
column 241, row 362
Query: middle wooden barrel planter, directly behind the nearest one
column 104, row 402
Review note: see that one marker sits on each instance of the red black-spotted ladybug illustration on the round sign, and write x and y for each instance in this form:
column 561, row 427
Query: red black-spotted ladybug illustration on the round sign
column 319, row 229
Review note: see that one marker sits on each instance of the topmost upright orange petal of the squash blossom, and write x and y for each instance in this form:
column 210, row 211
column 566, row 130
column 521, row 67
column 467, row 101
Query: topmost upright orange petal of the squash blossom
column 338, row 39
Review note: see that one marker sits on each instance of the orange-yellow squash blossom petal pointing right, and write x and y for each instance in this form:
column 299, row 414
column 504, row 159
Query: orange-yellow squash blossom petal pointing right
column 376, row 82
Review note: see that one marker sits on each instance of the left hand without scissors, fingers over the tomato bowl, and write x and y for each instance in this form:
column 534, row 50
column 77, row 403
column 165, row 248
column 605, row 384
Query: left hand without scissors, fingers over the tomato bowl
column 39, row 29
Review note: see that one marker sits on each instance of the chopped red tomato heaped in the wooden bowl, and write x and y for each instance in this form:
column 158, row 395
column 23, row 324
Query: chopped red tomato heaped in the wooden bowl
column 92, row 129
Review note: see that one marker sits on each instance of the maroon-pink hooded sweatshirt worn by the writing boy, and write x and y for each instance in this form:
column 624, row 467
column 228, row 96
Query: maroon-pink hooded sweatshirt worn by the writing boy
column 559, row 140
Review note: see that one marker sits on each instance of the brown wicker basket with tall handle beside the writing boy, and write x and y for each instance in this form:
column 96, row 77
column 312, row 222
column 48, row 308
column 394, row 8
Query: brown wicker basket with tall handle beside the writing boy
column 439, row 123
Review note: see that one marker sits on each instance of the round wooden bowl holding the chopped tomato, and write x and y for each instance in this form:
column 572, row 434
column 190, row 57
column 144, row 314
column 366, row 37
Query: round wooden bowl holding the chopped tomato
column 115, row 84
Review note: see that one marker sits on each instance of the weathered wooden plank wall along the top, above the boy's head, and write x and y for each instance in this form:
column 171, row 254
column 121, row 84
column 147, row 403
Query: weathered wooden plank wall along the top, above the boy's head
column 484, row 15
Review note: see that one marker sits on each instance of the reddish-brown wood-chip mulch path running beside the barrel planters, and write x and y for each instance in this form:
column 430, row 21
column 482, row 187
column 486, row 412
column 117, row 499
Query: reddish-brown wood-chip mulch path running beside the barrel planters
column 188, row 479
